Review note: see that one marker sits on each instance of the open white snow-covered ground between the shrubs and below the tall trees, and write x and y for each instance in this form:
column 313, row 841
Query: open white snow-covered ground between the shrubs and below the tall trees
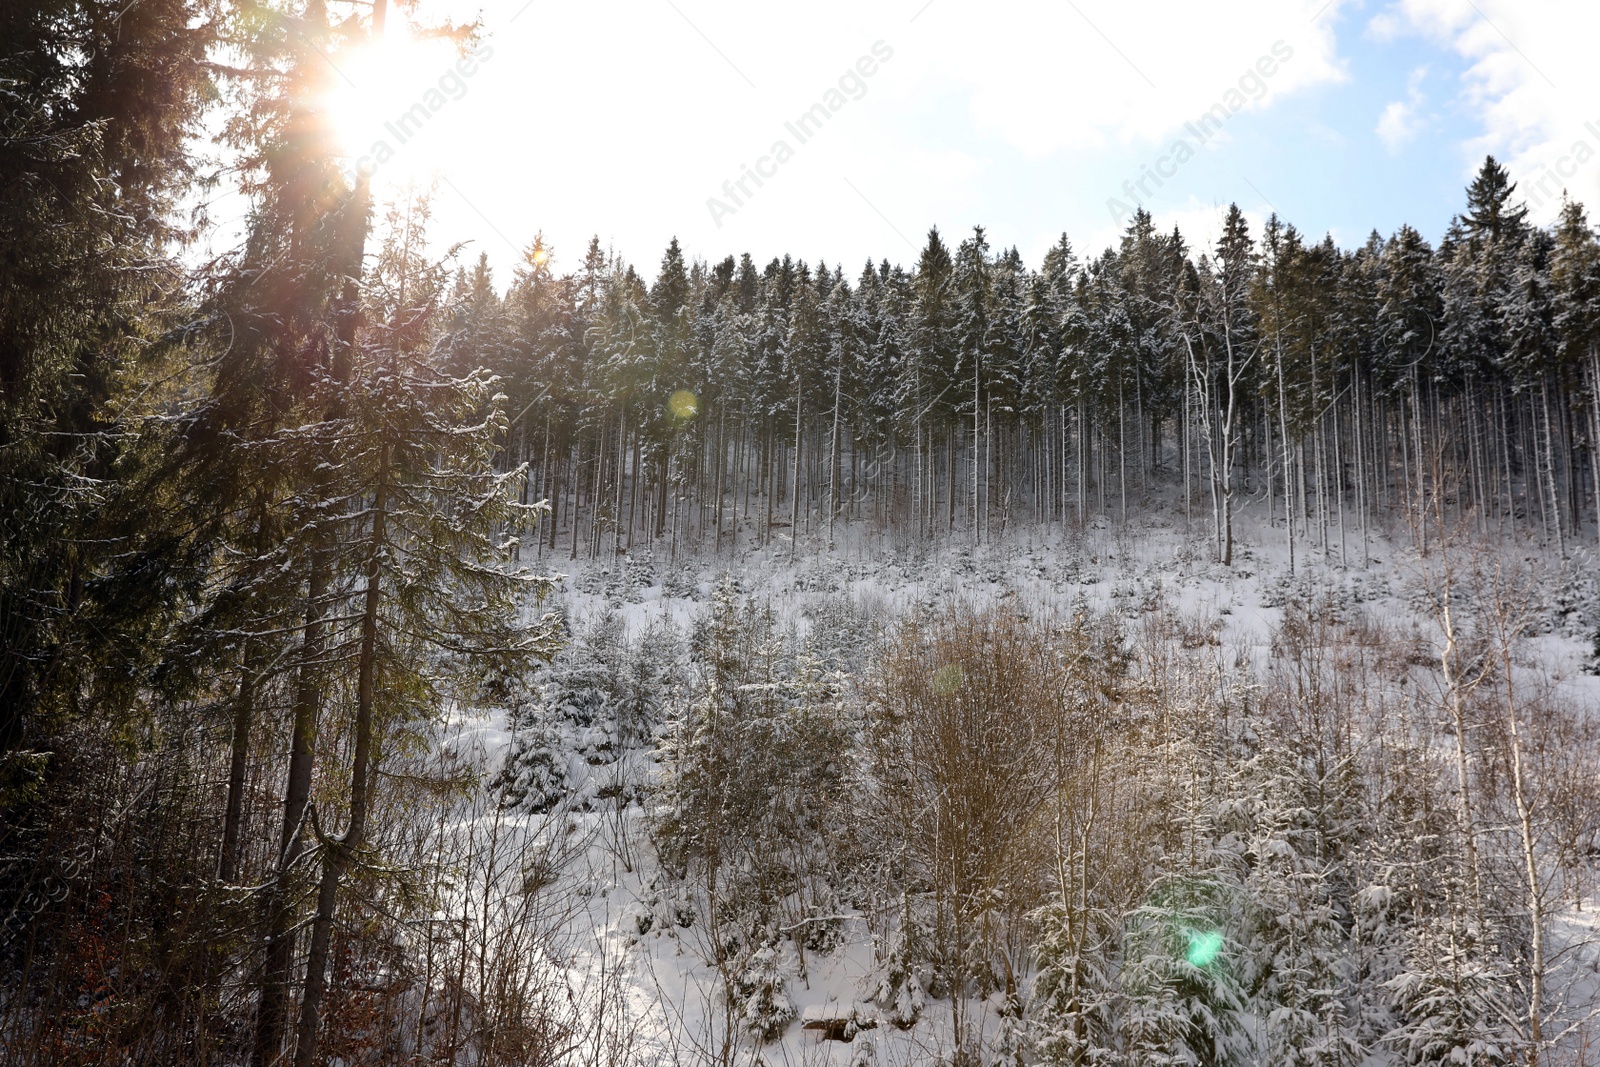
column 630, row 949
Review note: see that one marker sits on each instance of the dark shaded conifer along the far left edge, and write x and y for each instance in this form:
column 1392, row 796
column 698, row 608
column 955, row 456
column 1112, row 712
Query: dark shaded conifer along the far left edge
column 97, row 124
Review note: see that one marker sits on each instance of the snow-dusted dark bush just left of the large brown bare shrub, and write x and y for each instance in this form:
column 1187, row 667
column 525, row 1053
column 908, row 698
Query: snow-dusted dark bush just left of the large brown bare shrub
column 756, row 793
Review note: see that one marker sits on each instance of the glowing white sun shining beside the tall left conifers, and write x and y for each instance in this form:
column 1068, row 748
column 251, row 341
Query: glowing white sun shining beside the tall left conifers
column 391, row 100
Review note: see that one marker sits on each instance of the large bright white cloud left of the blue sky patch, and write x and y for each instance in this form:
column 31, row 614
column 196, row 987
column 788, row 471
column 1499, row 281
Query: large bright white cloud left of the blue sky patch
column 628, row 118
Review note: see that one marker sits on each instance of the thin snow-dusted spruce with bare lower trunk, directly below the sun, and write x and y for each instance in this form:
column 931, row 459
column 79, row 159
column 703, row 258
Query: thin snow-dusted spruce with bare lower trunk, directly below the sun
column 420, row 556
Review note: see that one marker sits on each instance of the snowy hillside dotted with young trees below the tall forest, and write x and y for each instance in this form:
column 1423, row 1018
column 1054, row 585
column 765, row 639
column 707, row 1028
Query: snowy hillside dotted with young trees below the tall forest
column 594, row 753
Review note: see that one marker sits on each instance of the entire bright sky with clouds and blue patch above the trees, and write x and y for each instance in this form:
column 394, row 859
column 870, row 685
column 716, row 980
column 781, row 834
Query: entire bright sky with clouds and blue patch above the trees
column 636, row 121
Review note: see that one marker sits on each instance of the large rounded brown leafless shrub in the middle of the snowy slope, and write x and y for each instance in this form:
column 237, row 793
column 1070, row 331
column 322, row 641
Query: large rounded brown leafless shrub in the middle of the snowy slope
column 961, row 745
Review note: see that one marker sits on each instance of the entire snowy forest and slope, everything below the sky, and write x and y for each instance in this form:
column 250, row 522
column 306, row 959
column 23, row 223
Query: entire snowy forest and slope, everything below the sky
column 1172, row 653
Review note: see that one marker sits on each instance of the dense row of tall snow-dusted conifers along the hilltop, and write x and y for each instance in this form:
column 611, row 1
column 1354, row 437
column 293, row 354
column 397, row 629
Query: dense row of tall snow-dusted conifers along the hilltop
column 970, row 393
